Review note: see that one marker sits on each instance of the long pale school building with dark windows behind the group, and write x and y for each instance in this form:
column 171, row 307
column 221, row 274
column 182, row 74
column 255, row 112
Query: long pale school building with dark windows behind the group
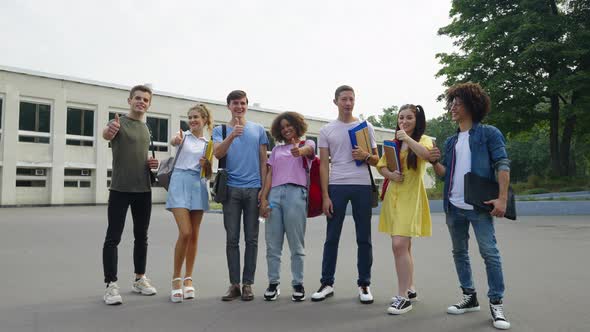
column 51, row 146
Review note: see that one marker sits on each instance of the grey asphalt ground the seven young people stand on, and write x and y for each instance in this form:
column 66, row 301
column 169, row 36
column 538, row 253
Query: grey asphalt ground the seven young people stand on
column 51, row 279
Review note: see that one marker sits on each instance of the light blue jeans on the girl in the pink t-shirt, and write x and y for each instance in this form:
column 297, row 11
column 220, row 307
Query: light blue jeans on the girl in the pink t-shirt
column 288, row 216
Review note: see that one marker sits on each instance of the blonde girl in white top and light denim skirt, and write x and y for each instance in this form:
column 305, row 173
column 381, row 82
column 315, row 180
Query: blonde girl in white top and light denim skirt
column 188, row 198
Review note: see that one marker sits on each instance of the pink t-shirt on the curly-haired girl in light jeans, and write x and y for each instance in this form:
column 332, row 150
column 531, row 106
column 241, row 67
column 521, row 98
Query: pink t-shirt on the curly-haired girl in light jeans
column 285, row 167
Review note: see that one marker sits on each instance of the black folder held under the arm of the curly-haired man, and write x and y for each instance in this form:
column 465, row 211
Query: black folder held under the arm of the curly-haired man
column 478, row 190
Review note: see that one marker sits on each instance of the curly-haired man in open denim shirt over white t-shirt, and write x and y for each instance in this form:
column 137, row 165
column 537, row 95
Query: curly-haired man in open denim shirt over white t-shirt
column 480, row 149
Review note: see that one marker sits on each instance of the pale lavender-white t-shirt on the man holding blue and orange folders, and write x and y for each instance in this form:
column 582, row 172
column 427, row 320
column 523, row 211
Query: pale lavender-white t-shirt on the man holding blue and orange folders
column 344, row 170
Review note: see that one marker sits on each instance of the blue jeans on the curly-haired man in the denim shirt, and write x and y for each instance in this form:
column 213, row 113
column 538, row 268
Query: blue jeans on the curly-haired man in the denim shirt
column 458, row 221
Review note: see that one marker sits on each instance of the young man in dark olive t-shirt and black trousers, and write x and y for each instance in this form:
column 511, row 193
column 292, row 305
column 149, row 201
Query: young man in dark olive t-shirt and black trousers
column 130, row 186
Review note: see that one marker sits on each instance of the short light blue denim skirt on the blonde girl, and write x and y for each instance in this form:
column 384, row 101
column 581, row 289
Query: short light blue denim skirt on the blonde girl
column 187, row 190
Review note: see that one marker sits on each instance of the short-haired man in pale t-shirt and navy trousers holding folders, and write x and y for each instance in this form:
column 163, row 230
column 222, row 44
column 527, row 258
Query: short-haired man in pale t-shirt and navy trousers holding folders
column 344, row 182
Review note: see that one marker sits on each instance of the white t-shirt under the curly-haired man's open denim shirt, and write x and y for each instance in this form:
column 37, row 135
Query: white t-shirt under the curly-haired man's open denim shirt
column 462, row 167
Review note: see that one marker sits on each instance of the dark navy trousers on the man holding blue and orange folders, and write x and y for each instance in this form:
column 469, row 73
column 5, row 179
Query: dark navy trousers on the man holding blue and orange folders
column 360, row 197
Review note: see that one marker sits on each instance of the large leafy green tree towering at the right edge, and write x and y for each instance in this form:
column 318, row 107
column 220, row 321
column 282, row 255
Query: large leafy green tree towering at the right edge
column 525, row 53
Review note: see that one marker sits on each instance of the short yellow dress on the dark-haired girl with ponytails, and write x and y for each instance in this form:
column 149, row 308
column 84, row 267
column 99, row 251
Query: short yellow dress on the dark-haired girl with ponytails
column 405, row 210
